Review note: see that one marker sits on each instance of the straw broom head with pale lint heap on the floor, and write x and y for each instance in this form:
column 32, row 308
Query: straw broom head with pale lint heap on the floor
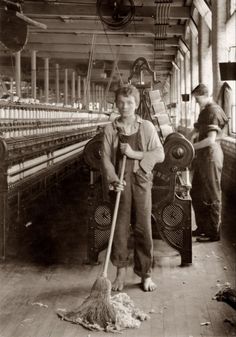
column 102, row 312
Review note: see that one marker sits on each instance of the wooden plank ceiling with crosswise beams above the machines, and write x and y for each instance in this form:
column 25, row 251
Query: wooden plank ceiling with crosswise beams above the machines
column 77, row 39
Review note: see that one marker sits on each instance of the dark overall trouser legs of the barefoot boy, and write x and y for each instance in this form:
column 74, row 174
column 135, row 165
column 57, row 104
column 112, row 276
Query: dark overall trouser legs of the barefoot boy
column 137, row 193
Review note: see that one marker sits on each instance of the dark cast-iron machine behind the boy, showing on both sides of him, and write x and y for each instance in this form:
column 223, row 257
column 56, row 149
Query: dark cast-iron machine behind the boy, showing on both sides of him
column 171, row 208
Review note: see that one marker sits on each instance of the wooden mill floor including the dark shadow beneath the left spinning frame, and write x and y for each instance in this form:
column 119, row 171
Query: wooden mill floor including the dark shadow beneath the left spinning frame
column 48, row 273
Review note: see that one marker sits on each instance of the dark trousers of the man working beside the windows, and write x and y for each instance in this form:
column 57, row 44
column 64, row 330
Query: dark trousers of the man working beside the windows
column 206, row 190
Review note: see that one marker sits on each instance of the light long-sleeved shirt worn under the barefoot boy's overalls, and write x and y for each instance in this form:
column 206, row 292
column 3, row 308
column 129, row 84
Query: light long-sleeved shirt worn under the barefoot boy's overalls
column 149, row 143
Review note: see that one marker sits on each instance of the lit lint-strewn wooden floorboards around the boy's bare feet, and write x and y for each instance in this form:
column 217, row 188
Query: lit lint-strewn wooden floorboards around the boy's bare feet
column 182, row 302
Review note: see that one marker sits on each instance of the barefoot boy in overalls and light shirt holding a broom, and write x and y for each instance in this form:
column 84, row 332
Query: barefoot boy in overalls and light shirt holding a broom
column 136, row 138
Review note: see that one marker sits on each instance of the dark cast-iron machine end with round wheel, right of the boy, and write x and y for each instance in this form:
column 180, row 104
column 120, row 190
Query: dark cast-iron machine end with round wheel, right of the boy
column 170, row 195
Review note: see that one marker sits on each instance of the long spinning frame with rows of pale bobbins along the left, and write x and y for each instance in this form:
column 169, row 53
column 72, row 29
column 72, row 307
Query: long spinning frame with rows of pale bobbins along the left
column 40, row 145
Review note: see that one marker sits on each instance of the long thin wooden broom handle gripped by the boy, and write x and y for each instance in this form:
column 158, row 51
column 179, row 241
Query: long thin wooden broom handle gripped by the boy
column 114, row 218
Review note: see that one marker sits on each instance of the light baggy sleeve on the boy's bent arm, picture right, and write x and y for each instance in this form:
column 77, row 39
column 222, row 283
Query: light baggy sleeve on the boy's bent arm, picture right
column 154, row 152
